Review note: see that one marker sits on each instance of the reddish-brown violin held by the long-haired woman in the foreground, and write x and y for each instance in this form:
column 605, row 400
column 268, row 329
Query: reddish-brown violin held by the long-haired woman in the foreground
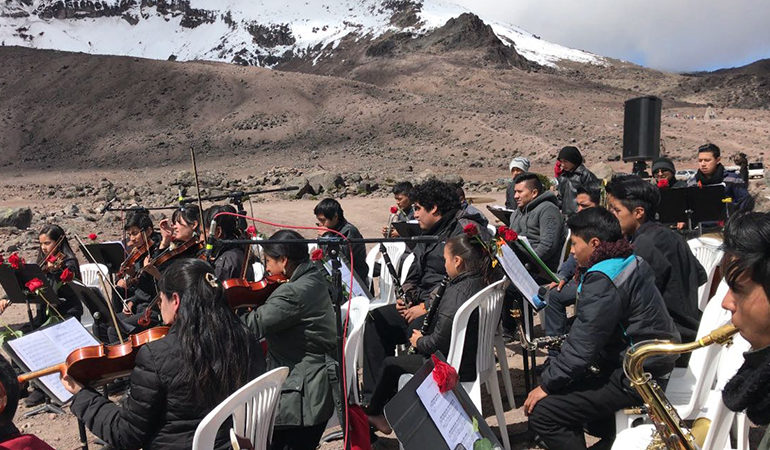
column 96, row 365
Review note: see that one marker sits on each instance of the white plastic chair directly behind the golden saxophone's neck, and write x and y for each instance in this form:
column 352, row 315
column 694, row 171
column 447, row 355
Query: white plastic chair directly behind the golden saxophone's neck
column 688, row 388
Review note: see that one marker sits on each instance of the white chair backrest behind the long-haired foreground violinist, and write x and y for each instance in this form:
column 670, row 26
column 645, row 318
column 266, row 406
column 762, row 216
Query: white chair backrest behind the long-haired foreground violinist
column 252, row 408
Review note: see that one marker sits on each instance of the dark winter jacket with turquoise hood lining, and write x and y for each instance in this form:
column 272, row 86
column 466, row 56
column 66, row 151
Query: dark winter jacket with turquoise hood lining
column 618, row 306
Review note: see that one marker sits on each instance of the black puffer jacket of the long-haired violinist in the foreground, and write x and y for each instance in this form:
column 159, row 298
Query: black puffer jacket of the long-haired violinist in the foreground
column 157, row 412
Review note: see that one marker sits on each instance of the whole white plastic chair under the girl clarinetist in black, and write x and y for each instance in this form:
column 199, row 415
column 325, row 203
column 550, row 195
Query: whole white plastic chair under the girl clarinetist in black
column 489, row 303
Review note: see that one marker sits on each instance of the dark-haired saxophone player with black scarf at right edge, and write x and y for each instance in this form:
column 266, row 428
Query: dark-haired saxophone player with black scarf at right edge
column 747, row 271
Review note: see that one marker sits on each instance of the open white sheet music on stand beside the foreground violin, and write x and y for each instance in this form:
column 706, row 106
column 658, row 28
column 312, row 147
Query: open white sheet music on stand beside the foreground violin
column 51, row 346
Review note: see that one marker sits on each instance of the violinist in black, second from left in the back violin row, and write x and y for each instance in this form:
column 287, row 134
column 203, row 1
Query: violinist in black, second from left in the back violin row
column 139, row 290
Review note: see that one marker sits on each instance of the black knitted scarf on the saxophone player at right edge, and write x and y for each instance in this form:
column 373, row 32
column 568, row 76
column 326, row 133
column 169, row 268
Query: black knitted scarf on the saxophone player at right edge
column 748, row 389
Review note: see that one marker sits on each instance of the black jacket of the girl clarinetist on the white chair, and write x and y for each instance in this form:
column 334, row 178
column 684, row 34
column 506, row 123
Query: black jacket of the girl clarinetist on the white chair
column 439, row 331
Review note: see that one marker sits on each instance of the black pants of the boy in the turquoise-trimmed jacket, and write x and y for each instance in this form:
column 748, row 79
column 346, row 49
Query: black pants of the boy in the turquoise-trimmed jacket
column 560, row 418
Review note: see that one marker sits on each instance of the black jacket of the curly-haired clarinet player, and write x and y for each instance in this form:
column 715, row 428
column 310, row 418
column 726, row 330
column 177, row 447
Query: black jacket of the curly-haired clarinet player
column 428, row 270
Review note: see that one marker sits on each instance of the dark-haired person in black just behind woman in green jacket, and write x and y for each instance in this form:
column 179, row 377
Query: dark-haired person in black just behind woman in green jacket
column 228, row 259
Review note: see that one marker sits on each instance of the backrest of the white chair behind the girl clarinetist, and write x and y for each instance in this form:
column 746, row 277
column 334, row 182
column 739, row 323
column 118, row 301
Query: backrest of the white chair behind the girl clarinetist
column 489, row 302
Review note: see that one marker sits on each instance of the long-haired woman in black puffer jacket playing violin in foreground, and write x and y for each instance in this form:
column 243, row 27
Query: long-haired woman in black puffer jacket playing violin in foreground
column 181, row 377
